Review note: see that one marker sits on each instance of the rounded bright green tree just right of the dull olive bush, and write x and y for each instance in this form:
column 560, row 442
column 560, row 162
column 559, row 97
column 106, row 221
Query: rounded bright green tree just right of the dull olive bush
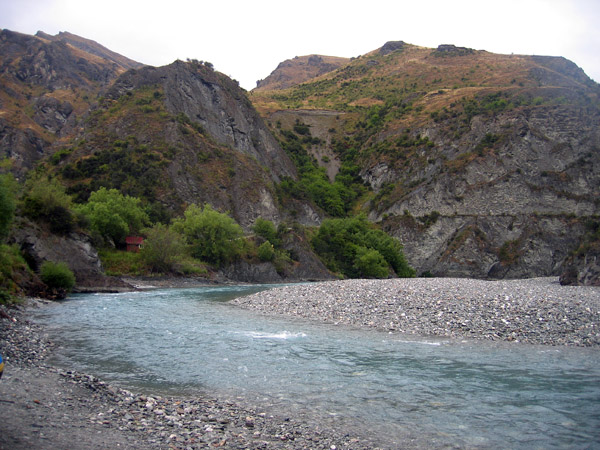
column 213, row 237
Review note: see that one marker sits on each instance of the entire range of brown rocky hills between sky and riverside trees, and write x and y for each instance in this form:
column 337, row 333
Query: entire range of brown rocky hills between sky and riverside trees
column 483, row 165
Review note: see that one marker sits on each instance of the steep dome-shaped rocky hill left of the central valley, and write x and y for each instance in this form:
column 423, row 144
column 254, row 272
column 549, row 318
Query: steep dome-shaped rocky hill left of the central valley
column 190, row 135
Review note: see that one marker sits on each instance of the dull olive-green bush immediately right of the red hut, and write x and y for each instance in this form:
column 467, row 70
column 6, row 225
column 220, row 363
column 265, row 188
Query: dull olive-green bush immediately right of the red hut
column 162, row 249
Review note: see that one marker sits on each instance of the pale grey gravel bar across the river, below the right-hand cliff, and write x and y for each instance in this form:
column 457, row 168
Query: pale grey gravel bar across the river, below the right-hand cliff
column 532, row 311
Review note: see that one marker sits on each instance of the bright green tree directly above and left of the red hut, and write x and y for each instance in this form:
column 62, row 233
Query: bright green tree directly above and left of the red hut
column 114, row 215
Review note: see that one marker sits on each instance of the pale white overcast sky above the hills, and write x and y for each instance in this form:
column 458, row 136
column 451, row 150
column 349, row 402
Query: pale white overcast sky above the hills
column 246, row 39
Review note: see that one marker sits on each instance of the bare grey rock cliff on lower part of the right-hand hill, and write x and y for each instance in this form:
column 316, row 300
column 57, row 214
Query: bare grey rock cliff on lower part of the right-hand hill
column 508, row 208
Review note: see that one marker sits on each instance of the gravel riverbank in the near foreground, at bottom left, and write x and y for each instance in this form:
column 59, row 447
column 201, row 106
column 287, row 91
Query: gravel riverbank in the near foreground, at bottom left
column 46, row 407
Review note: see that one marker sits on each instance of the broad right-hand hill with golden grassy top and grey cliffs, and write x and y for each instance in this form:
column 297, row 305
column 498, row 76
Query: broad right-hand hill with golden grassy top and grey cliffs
column 483, row 165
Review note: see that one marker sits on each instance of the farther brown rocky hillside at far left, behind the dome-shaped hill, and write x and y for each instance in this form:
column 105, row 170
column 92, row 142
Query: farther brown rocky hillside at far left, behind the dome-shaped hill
column 46, row 86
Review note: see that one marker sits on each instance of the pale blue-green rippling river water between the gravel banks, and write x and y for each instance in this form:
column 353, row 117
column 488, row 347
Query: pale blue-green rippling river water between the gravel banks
column 462, row 392
